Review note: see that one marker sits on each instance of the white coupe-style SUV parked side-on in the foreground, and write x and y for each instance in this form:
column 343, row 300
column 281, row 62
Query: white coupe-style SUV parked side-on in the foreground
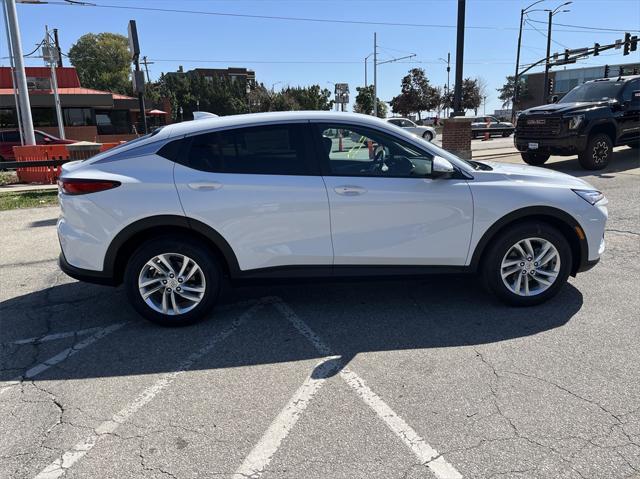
column 314, row 194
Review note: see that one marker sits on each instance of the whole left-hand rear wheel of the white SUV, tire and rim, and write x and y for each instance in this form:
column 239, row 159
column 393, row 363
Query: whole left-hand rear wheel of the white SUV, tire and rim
column 172, row 282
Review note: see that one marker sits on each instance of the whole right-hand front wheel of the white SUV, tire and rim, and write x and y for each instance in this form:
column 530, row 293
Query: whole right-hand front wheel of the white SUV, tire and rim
column 527, row 264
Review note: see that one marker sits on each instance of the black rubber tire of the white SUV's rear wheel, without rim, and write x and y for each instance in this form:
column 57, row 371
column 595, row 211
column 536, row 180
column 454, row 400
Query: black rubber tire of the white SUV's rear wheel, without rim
column 198, row 253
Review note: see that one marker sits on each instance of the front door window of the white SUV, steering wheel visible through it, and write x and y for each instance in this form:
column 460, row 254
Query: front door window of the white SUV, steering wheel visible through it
column 357, row 151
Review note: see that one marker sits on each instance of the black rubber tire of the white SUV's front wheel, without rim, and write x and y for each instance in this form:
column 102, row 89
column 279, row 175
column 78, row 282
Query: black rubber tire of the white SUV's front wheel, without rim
column 502, row 244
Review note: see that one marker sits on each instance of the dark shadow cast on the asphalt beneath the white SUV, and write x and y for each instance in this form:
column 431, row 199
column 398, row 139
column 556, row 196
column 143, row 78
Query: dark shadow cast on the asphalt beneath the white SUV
column 351, row 318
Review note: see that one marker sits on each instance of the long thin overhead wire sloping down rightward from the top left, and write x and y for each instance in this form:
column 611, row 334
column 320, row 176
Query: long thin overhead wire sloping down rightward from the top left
column 279, row 17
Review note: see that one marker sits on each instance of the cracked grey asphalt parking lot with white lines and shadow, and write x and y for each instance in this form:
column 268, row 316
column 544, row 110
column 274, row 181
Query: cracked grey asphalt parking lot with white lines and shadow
column 411, row 379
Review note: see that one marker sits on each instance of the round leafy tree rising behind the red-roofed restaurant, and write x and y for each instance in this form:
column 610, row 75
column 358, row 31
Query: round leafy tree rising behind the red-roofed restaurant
column 102, row 61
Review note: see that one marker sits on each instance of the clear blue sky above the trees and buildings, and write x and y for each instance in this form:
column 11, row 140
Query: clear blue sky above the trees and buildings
column 332, row 52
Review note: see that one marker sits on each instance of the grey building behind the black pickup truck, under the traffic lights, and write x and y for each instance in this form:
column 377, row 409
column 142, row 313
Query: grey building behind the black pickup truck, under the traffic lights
column 566, row 80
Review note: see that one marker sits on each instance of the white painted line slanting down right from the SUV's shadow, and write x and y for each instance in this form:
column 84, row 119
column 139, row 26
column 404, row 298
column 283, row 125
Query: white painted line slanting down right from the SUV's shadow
column 424, row 452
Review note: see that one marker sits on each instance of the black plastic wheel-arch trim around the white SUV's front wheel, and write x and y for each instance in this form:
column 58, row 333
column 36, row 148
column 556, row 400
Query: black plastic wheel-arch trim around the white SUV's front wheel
column 531, row 212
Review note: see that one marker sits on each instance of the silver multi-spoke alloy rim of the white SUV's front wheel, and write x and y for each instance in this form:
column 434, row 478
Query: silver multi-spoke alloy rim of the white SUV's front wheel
column 530, row 267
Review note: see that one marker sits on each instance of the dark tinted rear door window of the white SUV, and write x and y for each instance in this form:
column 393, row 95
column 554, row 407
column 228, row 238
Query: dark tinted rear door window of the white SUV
column 262, row 150
